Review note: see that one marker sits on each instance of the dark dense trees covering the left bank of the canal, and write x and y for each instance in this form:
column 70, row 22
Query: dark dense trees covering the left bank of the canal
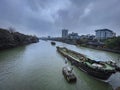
column 10, row 38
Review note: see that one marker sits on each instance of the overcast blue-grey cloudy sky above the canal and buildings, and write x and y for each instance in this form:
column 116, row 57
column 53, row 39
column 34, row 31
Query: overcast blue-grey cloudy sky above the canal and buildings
column 48, row 17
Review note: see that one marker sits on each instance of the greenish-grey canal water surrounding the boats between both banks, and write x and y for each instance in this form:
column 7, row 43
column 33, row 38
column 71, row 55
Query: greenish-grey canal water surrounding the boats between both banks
column 39, row 67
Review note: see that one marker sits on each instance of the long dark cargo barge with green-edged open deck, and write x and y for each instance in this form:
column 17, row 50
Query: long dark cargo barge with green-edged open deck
column 98, row 69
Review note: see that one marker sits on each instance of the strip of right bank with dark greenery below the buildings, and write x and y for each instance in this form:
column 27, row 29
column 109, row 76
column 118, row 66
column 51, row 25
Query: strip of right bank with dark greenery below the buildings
column 111, row 44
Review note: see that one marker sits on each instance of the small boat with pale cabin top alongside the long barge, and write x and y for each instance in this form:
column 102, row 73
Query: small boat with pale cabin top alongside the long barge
column 68, row 74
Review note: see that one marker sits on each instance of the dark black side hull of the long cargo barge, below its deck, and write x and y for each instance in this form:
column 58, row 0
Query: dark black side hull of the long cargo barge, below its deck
column 100, row 74
